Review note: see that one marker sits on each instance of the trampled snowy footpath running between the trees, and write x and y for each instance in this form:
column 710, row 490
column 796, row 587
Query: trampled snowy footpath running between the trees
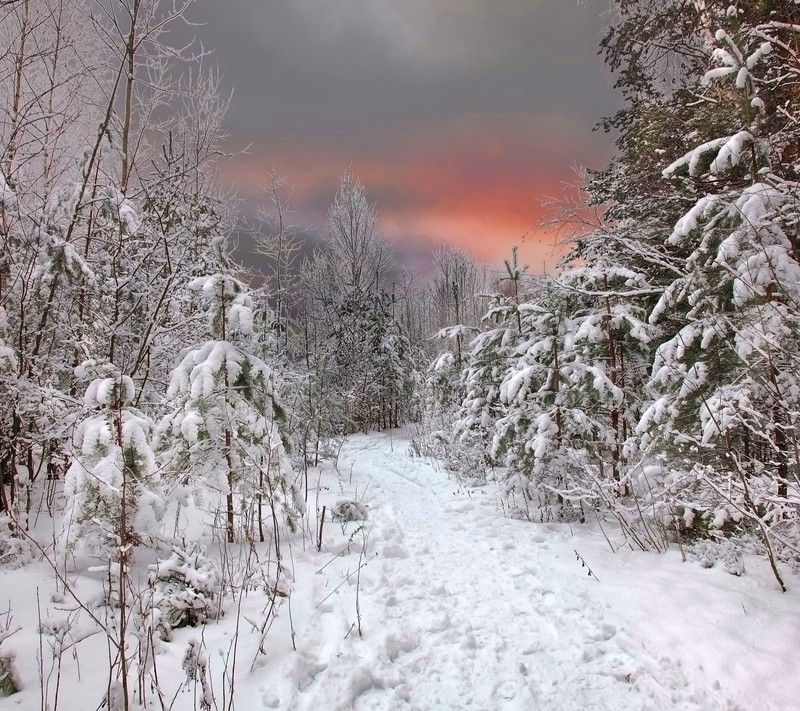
column 464, row 609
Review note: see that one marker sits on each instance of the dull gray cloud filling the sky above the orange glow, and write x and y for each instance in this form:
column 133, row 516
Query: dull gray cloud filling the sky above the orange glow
column 331, row 69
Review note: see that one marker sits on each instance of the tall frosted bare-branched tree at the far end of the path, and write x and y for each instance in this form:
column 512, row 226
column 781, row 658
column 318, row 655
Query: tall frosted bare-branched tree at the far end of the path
column 358, row 354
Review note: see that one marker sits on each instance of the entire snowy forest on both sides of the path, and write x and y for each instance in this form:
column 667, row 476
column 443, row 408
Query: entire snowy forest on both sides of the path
column 165, row 406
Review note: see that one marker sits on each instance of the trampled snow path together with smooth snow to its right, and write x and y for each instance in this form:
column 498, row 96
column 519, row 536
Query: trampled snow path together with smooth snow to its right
column 465, row 609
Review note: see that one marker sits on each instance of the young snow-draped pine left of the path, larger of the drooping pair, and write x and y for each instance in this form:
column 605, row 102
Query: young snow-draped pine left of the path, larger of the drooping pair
column 225, row 428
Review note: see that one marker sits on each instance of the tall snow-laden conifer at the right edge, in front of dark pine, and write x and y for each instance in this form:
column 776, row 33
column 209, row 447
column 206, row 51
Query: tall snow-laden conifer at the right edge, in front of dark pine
column 726, row 382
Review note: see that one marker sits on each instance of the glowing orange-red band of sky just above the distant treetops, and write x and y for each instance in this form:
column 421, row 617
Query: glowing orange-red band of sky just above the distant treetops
column 479, row 184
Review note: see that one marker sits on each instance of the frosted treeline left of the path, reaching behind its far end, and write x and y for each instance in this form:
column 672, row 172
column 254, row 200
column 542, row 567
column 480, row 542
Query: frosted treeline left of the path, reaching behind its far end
column 141, row 367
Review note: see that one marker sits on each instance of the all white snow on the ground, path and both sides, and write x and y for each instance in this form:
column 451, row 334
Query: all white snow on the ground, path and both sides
column 462, row 608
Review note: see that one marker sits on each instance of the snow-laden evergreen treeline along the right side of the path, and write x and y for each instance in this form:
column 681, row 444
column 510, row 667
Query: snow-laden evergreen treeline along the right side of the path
column 656, row 376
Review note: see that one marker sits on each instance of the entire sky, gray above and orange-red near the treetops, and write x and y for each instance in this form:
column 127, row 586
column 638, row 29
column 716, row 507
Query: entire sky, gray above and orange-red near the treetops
column 459, row 116
